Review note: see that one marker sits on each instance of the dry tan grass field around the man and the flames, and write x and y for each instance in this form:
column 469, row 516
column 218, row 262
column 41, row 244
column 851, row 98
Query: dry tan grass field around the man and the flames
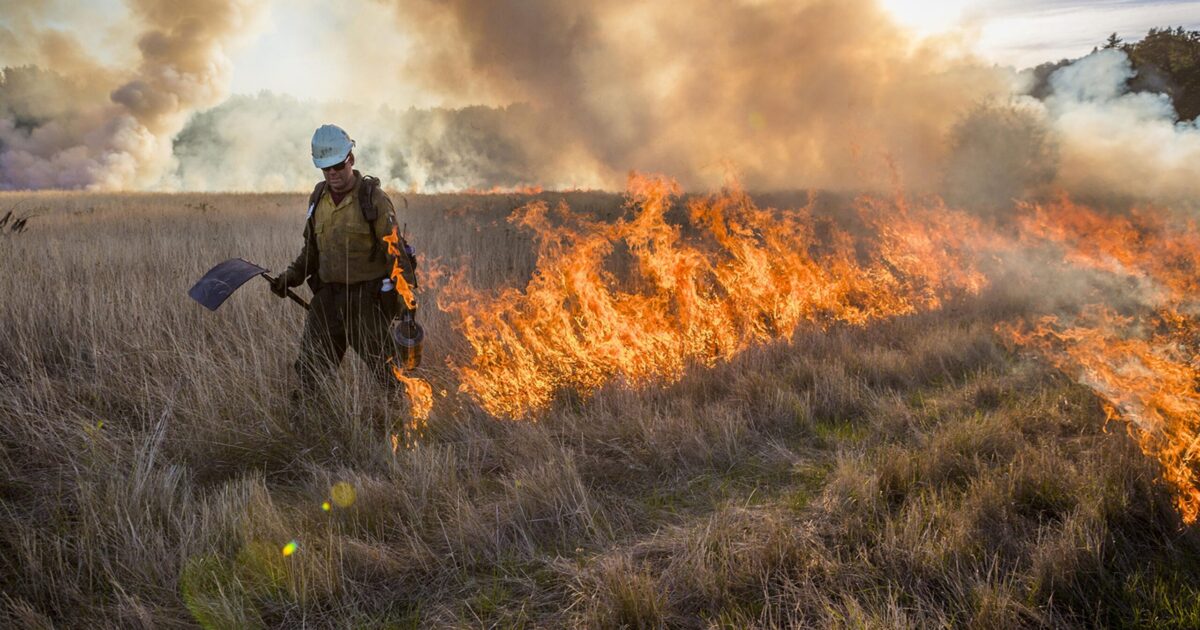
column 916, row 472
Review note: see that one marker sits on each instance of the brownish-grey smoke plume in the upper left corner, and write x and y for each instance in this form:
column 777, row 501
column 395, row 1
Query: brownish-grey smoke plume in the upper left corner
column 73, row 122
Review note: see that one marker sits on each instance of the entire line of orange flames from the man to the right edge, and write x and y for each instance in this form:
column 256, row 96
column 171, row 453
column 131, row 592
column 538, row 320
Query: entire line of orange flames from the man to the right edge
column 641, row 299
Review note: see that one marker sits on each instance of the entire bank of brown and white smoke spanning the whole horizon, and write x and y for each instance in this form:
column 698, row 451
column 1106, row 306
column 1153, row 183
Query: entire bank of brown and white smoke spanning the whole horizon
column 560, row 93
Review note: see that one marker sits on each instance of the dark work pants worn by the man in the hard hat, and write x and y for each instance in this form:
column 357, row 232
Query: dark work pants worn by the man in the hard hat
column 345, row 316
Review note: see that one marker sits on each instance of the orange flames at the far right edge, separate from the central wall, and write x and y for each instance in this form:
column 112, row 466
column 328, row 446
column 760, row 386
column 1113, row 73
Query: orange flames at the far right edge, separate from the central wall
column 1144, row 365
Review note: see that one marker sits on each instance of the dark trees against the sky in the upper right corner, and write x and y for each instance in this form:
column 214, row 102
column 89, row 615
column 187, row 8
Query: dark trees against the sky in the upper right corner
column 1167, row 61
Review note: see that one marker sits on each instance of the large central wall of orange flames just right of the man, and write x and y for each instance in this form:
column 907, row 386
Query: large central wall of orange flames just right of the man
column 751, row 275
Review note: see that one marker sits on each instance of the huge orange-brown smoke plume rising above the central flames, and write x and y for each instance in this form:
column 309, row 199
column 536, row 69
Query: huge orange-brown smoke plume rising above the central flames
column 808, row 93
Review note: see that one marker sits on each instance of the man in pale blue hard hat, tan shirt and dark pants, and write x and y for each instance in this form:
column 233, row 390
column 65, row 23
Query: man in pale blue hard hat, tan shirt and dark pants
column 346, row 263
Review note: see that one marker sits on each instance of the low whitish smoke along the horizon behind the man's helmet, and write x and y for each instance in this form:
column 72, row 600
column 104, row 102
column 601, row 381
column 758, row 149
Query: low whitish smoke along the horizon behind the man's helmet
column 261, row 143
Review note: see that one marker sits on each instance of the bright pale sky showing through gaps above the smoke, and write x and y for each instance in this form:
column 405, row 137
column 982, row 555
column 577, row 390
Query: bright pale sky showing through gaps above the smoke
column 1018, row 33
